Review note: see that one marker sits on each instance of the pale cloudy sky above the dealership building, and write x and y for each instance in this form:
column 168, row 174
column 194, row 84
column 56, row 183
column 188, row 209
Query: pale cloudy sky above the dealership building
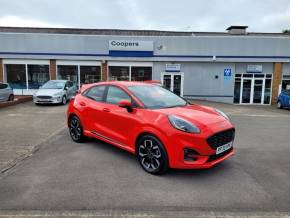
column 176, row 15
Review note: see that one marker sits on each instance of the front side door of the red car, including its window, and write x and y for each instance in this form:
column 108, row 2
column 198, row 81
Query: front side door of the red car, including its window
column 116, row 122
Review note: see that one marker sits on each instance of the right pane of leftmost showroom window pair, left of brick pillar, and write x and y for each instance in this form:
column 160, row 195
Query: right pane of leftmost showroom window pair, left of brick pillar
column 37, row 75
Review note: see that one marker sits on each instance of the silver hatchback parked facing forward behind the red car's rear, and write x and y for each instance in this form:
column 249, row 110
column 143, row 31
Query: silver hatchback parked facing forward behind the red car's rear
column 55, row 92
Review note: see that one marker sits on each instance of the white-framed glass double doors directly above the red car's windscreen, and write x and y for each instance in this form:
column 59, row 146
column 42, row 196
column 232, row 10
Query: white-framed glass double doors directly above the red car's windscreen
column 173, row 82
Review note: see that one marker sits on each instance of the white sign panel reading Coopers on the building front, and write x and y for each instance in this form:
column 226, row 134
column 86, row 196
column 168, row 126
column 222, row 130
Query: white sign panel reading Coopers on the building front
column 130, row 45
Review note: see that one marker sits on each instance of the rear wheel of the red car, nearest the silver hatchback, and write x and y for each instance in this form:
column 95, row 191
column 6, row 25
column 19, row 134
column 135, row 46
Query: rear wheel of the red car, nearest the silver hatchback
column 76, row 129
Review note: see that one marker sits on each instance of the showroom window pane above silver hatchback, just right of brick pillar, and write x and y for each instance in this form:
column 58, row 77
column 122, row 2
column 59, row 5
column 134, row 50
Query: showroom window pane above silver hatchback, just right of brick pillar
column 68, row 72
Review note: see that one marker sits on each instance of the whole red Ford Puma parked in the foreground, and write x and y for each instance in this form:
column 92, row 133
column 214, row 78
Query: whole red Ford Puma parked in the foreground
column 162, row 129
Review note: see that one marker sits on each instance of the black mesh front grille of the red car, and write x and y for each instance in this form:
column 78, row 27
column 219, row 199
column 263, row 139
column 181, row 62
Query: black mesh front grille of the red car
column 221, row 138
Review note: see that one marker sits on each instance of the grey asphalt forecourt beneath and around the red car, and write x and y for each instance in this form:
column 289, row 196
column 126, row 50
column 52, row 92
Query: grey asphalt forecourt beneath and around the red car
column 64, row 176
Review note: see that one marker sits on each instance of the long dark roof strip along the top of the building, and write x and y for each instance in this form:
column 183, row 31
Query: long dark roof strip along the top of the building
column 125, row 32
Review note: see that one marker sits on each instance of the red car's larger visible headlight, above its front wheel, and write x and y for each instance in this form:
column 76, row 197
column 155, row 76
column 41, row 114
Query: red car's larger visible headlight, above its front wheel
column 182, row 124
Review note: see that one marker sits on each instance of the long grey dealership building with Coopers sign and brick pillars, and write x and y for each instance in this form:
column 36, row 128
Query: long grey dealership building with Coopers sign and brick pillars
column 233, row 66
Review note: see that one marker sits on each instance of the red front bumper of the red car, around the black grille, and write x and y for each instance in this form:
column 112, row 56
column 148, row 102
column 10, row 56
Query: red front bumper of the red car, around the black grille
column 204, row 155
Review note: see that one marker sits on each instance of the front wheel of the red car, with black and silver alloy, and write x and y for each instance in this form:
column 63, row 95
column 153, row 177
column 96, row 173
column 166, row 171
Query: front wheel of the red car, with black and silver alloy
column 152, row 155
